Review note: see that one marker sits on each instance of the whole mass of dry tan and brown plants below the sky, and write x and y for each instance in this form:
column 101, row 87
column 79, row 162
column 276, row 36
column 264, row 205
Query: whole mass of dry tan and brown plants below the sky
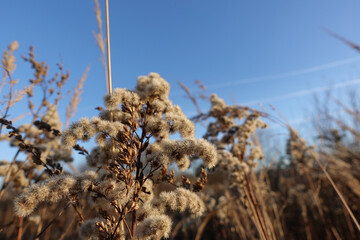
column 134, row 185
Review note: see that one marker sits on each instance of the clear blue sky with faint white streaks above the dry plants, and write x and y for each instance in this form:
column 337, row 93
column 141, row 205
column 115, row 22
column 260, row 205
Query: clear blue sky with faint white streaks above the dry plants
column 245, row 51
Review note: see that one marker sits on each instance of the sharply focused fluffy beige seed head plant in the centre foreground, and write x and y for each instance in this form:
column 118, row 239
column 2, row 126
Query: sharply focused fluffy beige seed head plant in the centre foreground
column 132, row 134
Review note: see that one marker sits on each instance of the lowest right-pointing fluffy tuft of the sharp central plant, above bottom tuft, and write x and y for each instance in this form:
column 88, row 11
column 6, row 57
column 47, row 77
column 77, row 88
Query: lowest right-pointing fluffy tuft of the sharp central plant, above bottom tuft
column 181, row 200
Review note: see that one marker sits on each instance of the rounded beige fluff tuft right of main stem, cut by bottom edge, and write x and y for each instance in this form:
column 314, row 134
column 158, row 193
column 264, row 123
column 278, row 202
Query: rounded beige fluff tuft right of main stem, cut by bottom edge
column 154, row 227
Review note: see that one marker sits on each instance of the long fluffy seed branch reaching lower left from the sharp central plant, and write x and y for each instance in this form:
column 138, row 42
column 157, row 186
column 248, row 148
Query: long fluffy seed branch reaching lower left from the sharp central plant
column 52, row 190
